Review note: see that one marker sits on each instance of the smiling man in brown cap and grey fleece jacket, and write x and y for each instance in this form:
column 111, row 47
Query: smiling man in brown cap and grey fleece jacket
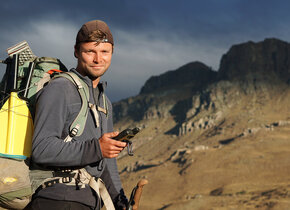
column 57, row 107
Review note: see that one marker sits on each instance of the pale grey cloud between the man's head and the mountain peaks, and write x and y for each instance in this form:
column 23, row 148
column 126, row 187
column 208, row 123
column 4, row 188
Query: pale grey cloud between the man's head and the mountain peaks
column 137, row 57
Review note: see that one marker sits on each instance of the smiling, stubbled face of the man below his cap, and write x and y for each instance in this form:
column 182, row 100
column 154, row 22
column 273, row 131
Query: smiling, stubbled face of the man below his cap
column 94, row 60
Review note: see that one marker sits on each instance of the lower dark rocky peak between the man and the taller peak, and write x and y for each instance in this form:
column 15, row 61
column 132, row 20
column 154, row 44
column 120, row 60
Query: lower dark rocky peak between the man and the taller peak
column 160, row 93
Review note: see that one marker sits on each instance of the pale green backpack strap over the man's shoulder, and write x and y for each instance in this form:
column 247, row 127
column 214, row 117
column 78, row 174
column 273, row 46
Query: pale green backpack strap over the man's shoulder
column 78, row 125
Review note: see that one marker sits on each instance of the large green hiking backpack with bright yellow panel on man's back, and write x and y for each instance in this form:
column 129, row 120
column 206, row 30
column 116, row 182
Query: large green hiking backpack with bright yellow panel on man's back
column 23, row 78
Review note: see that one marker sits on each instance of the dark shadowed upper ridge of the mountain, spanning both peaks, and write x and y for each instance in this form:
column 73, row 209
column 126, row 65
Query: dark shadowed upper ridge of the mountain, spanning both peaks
column 159, row 89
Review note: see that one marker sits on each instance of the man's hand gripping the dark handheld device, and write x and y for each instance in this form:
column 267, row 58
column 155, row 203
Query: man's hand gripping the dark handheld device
column 111, row 148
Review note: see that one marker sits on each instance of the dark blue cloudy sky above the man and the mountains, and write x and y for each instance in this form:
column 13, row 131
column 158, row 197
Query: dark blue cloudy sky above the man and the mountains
column 151, row 36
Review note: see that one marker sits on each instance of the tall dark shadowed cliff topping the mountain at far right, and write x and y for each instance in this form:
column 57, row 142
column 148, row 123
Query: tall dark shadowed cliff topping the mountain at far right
column 263, row 60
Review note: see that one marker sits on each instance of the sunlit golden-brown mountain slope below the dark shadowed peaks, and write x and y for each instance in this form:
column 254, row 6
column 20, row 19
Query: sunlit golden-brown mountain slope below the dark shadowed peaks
column 242, row 162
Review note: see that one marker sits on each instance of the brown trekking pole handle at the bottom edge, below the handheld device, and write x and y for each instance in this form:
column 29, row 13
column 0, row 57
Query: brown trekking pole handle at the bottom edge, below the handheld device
column 136, row 195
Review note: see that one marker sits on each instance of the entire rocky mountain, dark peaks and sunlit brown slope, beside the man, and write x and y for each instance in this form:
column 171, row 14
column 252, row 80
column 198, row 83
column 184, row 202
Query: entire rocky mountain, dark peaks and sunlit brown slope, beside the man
column 213, row 139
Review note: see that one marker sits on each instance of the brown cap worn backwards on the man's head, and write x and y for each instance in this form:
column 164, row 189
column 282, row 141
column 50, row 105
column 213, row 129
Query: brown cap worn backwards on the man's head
column 86, row 29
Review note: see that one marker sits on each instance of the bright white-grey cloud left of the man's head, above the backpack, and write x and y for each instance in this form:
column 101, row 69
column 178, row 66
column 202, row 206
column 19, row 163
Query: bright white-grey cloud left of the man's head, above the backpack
column 51, row 39
